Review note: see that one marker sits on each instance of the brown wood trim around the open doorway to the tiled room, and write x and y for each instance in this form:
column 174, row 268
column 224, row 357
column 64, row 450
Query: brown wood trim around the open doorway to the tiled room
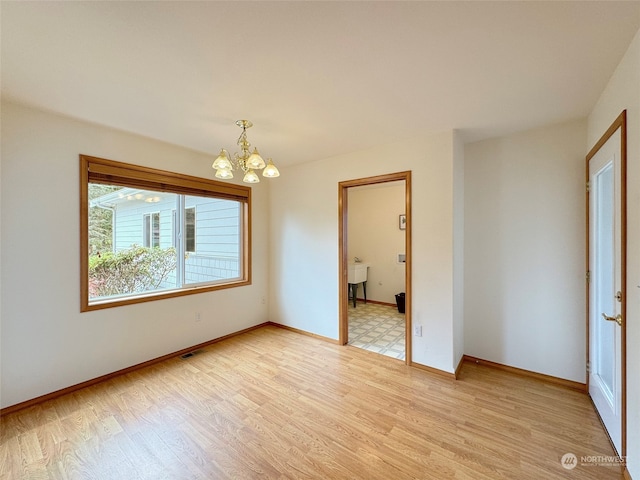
column 343, row 188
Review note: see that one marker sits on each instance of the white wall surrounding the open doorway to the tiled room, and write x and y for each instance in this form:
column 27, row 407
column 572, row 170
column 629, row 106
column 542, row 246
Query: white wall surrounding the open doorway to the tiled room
column 304, row 239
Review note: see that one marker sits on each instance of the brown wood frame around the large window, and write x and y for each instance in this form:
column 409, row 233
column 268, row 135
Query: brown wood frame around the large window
column 110, row 172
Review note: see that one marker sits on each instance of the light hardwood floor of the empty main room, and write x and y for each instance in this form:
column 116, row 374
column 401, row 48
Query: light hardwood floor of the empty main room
column 272, row 403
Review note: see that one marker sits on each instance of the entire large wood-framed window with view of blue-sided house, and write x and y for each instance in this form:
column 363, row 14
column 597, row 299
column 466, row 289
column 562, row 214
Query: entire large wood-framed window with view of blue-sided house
column 140, row 228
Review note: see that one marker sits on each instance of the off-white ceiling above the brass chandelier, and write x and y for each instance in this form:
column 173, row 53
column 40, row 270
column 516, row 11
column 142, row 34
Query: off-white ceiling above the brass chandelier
column 316, row 78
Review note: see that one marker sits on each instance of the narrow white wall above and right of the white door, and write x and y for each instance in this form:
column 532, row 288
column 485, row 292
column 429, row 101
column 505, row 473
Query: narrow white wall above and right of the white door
column 623, row 92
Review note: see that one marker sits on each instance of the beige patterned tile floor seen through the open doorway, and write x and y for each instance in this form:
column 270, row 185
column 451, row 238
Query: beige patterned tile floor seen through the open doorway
column 377, row 328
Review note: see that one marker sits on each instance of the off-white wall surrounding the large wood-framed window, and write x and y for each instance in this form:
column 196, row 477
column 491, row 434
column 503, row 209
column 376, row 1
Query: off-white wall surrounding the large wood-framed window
column 47, row 344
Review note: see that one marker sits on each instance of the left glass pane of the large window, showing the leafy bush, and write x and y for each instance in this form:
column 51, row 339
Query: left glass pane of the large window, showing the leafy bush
column 130, row 241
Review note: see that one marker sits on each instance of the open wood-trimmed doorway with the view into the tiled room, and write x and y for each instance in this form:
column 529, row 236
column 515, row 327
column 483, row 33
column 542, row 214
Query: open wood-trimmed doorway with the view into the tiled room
column 368, row 304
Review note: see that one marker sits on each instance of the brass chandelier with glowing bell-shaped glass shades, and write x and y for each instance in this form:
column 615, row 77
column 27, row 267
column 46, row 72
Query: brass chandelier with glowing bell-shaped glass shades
column 246, row 161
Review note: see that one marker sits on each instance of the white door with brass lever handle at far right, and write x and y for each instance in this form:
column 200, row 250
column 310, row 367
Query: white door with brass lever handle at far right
column 605, row 287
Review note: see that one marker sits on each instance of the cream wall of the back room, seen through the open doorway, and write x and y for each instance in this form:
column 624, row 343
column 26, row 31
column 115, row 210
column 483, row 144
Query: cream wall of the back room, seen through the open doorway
column 374, row 236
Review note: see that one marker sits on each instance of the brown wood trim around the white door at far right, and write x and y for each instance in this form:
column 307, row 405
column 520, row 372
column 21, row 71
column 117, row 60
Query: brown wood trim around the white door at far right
column 619, row 123
